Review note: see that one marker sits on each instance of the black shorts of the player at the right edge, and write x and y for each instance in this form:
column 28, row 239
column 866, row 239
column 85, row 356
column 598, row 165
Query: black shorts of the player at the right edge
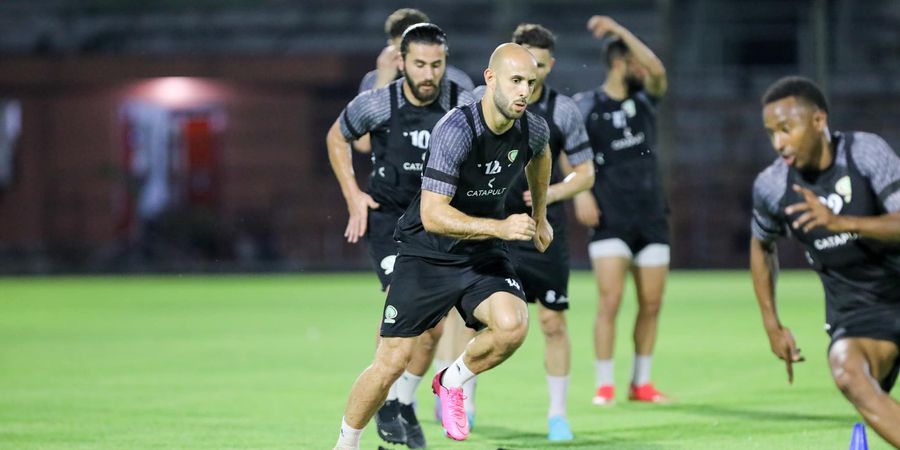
column 873, row 323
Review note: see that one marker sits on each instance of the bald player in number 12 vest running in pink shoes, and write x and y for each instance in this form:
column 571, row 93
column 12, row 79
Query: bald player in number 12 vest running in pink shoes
column 451, row 237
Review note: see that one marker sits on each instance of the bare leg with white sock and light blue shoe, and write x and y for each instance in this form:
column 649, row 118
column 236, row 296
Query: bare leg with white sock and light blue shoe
column 557, row 357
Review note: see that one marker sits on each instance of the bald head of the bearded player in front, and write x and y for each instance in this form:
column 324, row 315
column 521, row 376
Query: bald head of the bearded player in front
column 510, row 79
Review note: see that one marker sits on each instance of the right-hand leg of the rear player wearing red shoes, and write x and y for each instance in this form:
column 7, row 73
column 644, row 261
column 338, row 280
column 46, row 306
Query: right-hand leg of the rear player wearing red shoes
column 651, row 268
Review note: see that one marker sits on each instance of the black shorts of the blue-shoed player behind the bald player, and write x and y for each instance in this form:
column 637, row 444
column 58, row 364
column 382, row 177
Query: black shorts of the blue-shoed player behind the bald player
column 544, row 276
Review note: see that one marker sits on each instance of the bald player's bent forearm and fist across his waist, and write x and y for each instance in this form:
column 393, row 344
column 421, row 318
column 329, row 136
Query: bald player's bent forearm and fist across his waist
column 439, row 217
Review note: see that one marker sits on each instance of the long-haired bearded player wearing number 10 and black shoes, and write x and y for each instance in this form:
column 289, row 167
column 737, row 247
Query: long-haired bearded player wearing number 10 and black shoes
column 399, row 117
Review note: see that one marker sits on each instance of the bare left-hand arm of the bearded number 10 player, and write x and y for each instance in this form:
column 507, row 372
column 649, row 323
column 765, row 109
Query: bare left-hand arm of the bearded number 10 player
column 358, row 202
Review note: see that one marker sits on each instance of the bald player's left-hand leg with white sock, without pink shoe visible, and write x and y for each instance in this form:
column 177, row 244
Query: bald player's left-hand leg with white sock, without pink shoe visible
column 371, row 387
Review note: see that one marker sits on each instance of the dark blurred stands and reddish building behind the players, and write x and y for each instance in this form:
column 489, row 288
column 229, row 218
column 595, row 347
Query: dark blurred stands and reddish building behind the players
column 250, row 88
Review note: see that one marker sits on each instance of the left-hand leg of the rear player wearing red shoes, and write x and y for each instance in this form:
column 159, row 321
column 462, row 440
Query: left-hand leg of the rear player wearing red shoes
column 610, row 259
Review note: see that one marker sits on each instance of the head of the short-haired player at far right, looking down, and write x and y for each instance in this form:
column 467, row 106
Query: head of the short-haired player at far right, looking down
column 795, row 115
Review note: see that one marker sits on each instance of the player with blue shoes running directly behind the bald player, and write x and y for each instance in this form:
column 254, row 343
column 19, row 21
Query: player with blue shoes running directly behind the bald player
column 545, row 275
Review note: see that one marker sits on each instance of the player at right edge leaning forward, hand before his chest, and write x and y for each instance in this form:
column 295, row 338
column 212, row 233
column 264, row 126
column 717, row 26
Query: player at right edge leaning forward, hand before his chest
column 838, row 194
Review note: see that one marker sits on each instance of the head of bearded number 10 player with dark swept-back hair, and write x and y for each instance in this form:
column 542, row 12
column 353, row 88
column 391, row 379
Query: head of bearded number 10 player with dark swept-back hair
column 423, row 48
